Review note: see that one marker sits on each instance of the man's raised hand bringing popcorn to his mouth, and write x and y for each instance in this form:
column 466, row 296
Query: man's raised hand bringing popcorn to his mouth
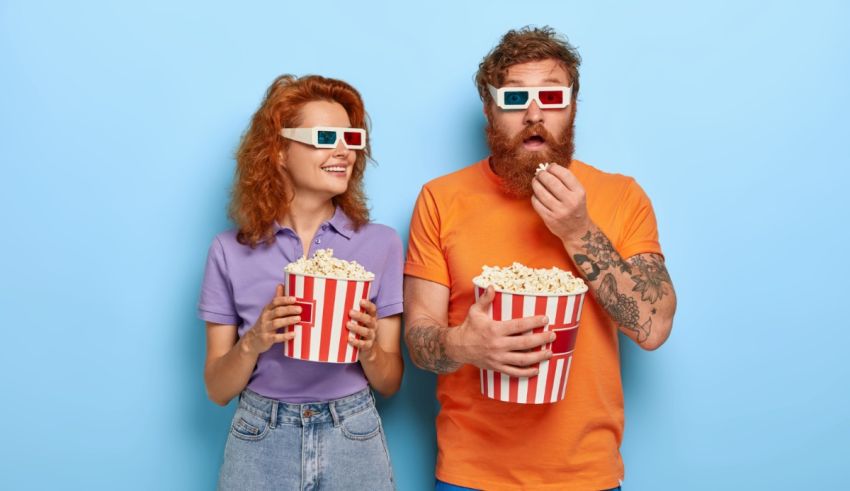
column 560, row 201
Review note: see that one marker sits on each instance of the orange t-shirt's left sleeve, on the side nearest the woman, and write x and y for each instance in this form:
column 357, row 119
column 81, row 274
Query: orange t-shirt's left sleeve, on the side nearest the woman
column 425, row 257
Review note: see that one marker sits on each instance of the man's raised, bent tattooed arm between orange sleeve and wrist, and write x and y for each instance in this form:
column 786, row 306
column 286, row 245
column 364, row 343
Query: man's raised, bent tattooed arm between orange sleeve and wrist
column 637, row 292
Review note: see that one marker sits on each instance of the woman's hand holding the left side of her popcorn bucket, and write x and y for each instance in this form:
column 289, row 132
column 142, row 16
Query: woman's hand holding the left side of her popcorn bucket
column 281, row 312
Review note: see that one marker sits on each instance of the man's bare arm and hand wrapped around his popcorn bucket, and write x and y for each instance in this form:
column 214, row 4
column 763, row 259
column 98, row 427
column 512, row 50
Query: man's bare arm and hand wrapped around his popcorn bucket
column 479, row 340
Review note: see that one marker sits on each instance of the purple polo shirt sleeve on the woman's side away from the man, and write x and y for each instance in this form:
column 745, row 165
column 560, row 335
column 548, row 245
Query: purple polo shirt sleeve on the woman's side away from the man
column 216, row 304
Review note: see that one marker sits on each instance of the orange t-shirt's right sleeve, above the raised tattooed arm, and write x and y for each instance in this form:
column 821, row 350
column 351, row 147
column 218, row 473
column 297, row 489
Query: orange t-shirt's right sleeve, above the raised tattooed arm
column 639, row 228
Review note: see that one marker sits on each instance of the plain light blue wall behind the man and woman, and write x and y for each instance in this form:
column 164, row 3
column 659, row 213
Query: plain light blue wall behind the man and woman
column 117, row 128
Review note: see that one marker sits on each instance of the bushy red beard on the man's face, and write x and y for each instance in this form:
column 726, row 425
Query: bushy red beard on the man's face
column 516, row 166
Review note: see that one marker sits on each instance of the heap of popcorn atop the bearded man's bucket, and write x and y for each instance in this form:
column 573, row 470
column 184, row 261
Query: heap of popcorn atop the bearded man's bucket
column 521, row 279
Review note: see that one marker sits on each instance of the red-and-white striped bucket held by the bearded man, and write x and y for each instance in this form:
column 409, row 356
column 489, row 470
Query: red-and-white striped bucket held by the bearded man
column 550, row 384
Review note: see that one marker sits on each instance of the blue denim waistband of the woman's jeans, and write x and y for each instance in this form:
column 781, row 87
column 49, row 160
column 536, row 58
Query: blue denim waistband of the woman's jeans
column 309, row 413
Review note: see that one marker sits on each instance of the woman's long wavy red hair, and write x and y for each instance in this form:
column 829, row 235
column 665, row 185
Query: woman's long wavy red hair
column 260, row 188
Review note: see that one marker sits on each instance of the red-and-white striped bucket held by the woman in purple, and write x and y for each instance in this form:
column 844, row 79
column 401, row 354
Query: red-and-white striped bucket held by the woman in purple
column 325, row 302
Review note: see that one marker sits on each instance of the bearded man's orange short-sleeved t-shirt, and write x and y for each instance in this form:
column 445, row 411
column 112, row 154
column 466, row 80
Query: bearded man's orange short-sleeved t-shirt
column 463, row 221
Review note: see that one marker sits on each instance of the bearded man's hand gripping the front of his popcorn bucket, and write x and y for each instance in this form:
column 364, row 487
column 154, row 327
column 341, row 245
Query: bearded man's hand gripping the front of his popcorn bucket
column 499, row 345
